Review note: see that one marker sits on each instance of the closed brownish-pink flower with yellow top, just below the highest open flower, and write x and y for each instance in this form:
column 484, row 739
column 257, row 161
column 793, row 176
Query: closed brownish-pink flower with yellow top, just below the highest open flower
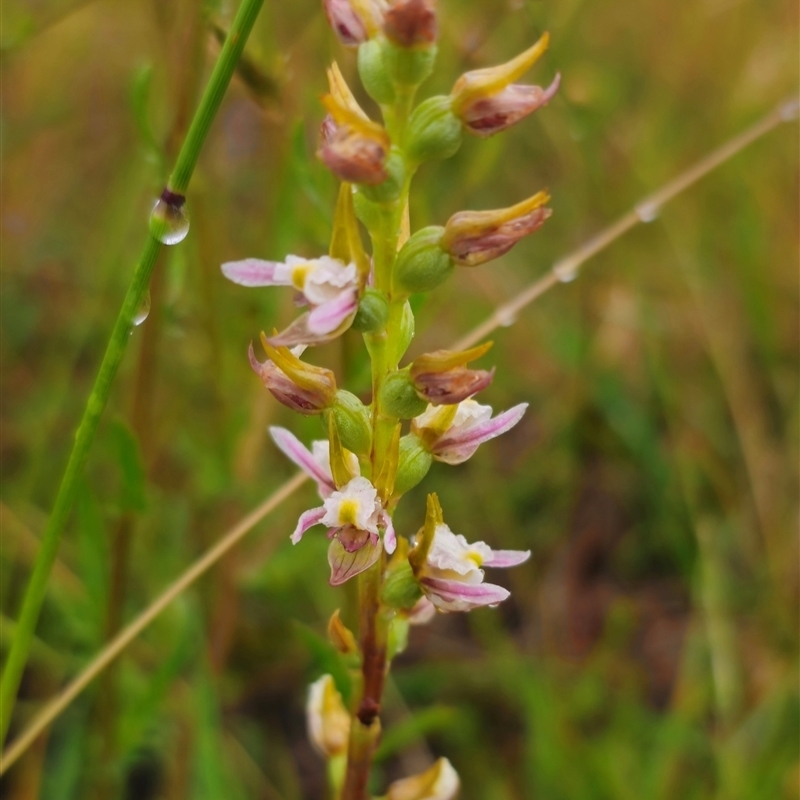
column 302, row 387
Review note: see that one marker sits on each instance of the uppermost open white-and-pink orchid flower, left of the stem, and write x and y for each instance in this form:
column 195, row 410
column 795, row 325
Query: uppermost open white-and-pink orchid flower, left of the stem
column 327, row 285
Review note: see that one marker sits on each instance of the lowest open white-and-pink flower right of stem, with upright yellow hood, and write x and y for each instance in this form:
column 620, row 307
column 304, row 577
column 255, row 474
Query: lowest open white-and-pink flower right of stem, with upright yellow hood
column 448, row 567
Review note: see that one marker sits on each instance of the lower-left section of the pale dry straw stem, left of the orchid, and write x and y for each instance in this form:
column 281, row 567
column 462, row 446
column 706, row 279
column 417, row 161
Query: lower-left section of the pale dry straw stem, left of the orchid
column 128, row 634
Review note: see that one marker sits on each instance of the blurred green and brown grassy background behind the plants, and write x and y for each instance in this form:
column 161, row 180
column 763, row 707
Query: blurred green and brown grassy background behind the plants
column 650, row 646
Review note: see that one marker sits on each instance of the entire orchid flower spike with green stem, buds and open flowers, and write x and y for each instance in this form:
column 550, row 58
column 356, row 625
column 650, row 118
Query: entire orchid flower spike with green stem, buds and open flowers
column 366, row 462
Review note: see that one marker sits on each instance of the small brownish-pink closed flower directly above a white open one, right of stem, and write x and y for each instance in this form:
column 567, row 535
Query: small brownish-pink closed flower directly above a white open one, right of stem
column 442, row 378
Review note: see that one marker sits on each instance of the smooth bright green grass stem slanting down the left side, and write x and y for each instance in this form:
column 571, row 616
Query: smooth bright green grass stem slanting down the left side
column 184, row 167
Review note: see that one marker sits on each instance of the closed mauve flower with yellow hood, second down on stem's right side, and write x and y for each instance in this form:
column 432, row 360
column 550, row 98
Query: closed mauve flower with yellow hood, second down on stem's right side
column 475, row 237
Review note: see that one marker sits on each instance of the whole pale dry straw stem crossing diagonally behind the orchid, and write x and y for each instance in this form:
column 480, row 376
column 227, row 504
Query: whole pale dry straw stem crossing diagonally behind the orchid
column 503, row 316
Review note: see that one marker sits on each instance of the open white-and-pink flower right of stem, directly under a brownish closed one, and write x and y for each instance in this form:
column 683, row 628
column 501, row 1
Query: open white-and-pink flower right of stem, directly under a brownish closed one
column 452, row 434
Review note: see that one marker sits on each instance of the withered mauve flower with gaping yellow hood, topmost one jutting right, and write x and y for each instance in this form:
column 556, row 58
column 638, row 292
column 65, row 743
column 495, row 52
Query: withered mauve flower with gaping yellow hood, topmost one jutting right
column 488, row 101
